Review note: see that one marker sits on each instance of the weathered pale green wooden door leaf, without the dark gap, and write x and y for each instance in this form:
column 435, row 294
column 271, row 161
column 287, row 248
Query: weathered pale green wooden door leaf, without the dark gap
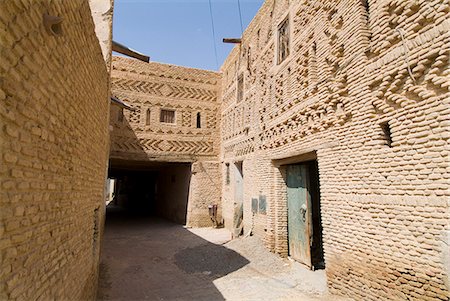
column 299, row 213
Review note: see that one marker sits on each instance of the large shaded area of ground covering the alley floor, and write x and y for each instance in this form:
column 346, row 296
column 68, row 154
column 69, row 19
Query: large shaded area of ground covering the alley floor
column 145, row 258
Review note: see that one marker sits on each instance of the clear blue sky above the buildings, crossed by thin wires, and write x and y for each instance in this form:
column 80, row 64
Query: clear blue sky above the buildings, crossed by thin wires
column 179, row 31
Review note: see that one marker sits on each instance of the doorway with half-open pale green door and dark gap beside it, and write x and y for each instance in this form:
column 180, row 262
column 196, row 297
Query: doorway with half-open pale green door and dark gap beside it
column 304, row 219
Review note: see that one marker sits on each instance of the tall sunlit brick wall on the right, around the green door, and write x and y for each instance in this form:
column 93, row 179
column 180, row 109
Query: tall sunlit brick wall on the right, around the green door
column 355, row 70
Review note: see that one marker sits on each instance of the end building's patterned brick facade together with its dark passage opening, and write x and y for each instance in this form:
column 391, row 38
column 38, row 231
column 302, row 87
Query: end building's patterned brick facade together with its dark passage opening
column 171, row 134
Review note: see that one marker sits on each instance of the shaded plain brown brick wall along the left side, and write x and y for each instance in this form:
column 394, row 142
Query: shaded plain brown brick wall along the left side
column 54, row 104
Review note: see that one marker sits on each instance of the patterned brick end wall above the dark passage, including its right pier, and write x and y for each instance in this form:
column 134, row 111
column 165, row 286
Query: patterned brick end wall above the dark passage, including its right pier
column 139, row 135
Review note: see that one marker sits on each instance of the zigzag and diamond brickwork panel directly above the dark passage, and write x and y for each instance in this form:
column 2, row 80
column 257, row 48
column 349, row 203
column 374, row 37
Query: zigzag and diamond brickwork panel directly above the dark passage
column 157, row 86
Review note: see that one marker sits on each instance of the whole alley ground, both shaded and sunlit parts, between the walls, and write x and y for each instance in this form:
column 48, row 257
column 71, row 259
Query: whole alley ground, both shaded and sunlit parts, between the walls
column 146, row 258
